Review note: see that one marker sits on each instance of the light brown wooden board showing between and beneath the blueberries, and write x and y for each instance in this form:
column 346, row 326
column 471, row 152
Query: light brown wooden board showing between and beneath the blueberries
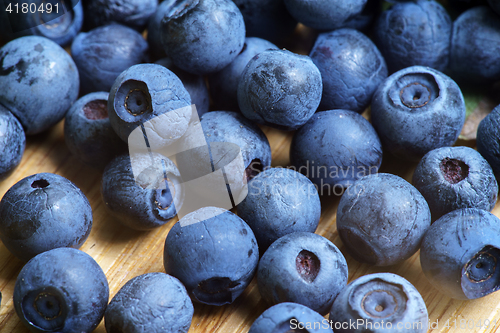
column 124, row 253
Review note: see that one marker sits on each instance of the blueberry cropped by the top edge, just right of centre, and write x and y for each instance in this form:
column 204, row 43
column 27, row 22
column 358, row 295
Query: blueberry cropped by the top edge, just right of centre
column 324, row 14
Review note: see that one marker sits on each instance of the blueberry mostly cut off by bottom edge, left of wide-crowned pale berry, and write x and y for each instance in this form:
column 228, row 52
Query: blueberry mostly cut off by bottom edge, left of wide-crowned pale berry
column 290, row 317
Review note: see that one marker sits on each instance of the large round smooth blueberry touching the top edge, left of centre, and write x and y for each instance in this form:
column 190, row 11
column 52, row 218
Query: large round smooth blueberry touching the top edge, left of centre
column 203, row 36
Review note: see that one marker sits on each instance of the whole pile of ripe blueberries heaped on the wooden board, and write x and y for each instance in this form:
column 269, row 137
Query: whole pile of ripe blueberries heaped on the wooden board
column 405, row 60
